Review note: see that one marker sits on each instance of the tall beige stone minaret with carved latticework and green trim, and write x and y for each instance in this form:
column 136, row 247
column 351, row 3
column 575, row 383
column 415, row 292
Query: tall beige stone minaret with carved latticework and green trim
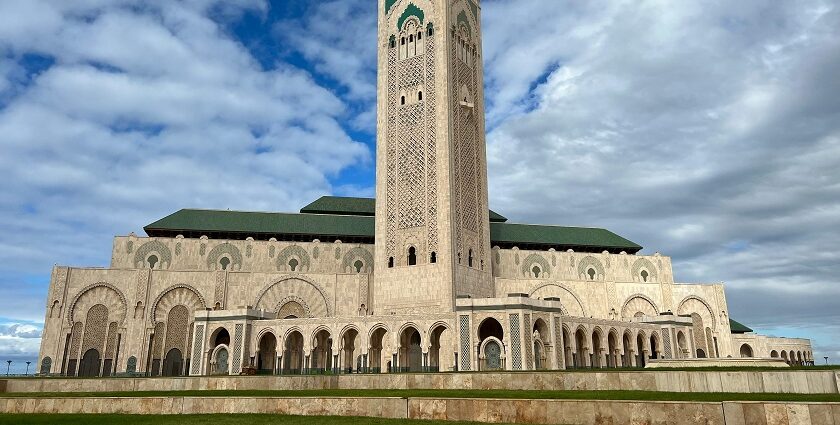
column 432, row 227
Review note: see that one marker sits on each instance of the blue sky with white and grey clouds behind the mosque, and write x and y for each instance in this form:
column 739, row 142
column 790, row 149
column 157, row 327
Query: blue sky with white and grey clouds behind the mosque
column 707, row 131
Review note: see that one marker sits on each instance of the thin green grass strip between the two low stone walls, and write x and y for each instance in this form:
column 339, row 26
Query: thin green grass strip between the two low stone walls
column 504, row 394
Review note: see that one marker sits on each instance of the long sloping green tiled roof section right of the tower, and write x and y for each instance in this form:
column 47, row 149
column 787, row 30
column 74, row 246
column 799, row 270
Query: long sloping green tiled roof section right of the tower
column 559, row 236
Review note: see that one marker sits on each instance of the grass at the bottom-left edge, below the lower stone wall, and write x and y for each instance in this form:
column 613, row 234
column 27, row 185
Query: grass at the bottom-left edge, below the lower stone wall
column 36, row 419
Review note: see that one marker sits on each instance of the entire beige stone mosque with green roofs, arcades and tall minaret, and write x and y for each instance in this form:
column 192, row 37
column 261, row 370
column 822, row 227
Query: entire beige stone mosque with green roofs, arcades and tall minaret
column 425, row 278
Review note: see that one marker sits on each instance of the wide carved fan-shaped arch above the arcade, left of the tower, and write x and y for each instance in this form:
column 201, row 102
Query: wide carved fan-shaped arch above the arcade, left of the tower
column 307, row 290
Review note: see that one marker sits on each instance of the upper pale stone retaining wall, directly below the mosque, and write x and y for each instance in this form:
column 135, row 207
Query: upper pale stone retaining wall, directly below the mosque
column 799, row 382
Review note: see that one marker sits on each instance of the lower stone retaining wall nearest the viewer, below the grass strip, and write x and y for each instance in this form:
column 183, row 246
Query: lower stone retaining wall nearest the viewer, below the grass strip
column 578, row 412
